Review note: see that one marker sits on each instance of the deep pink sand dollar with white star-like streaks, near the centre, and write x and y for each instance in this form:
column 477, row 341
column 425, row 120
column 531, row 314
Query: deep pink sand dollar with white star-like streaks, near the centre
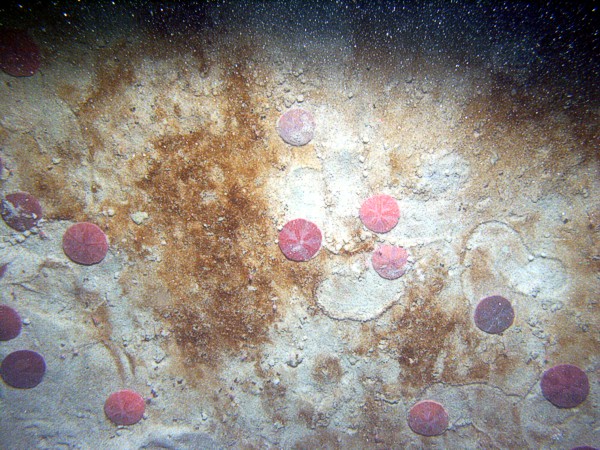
column 300, row 240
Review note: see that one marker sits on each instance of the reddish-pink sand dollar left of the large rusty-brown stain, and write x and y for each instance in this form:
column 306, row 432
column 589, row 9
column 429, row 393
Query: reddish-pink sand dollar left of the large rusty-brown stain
column 85, row 243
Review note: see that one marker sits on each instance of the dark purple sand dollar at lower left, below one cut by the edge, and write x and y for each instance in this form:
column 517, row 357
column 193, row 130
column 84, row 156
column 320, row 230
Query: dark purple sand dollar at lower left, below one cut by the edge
column 23, row 369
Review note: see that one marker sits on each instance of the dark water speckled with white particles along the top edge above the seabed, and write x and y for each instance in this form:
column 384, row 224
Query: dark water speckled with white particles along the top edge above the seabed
column 556, row 43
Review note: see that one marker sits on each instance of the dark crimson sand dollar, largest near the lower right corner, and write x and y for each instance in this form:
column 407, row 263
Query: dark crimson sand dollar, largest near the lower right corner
column 565, row 385
